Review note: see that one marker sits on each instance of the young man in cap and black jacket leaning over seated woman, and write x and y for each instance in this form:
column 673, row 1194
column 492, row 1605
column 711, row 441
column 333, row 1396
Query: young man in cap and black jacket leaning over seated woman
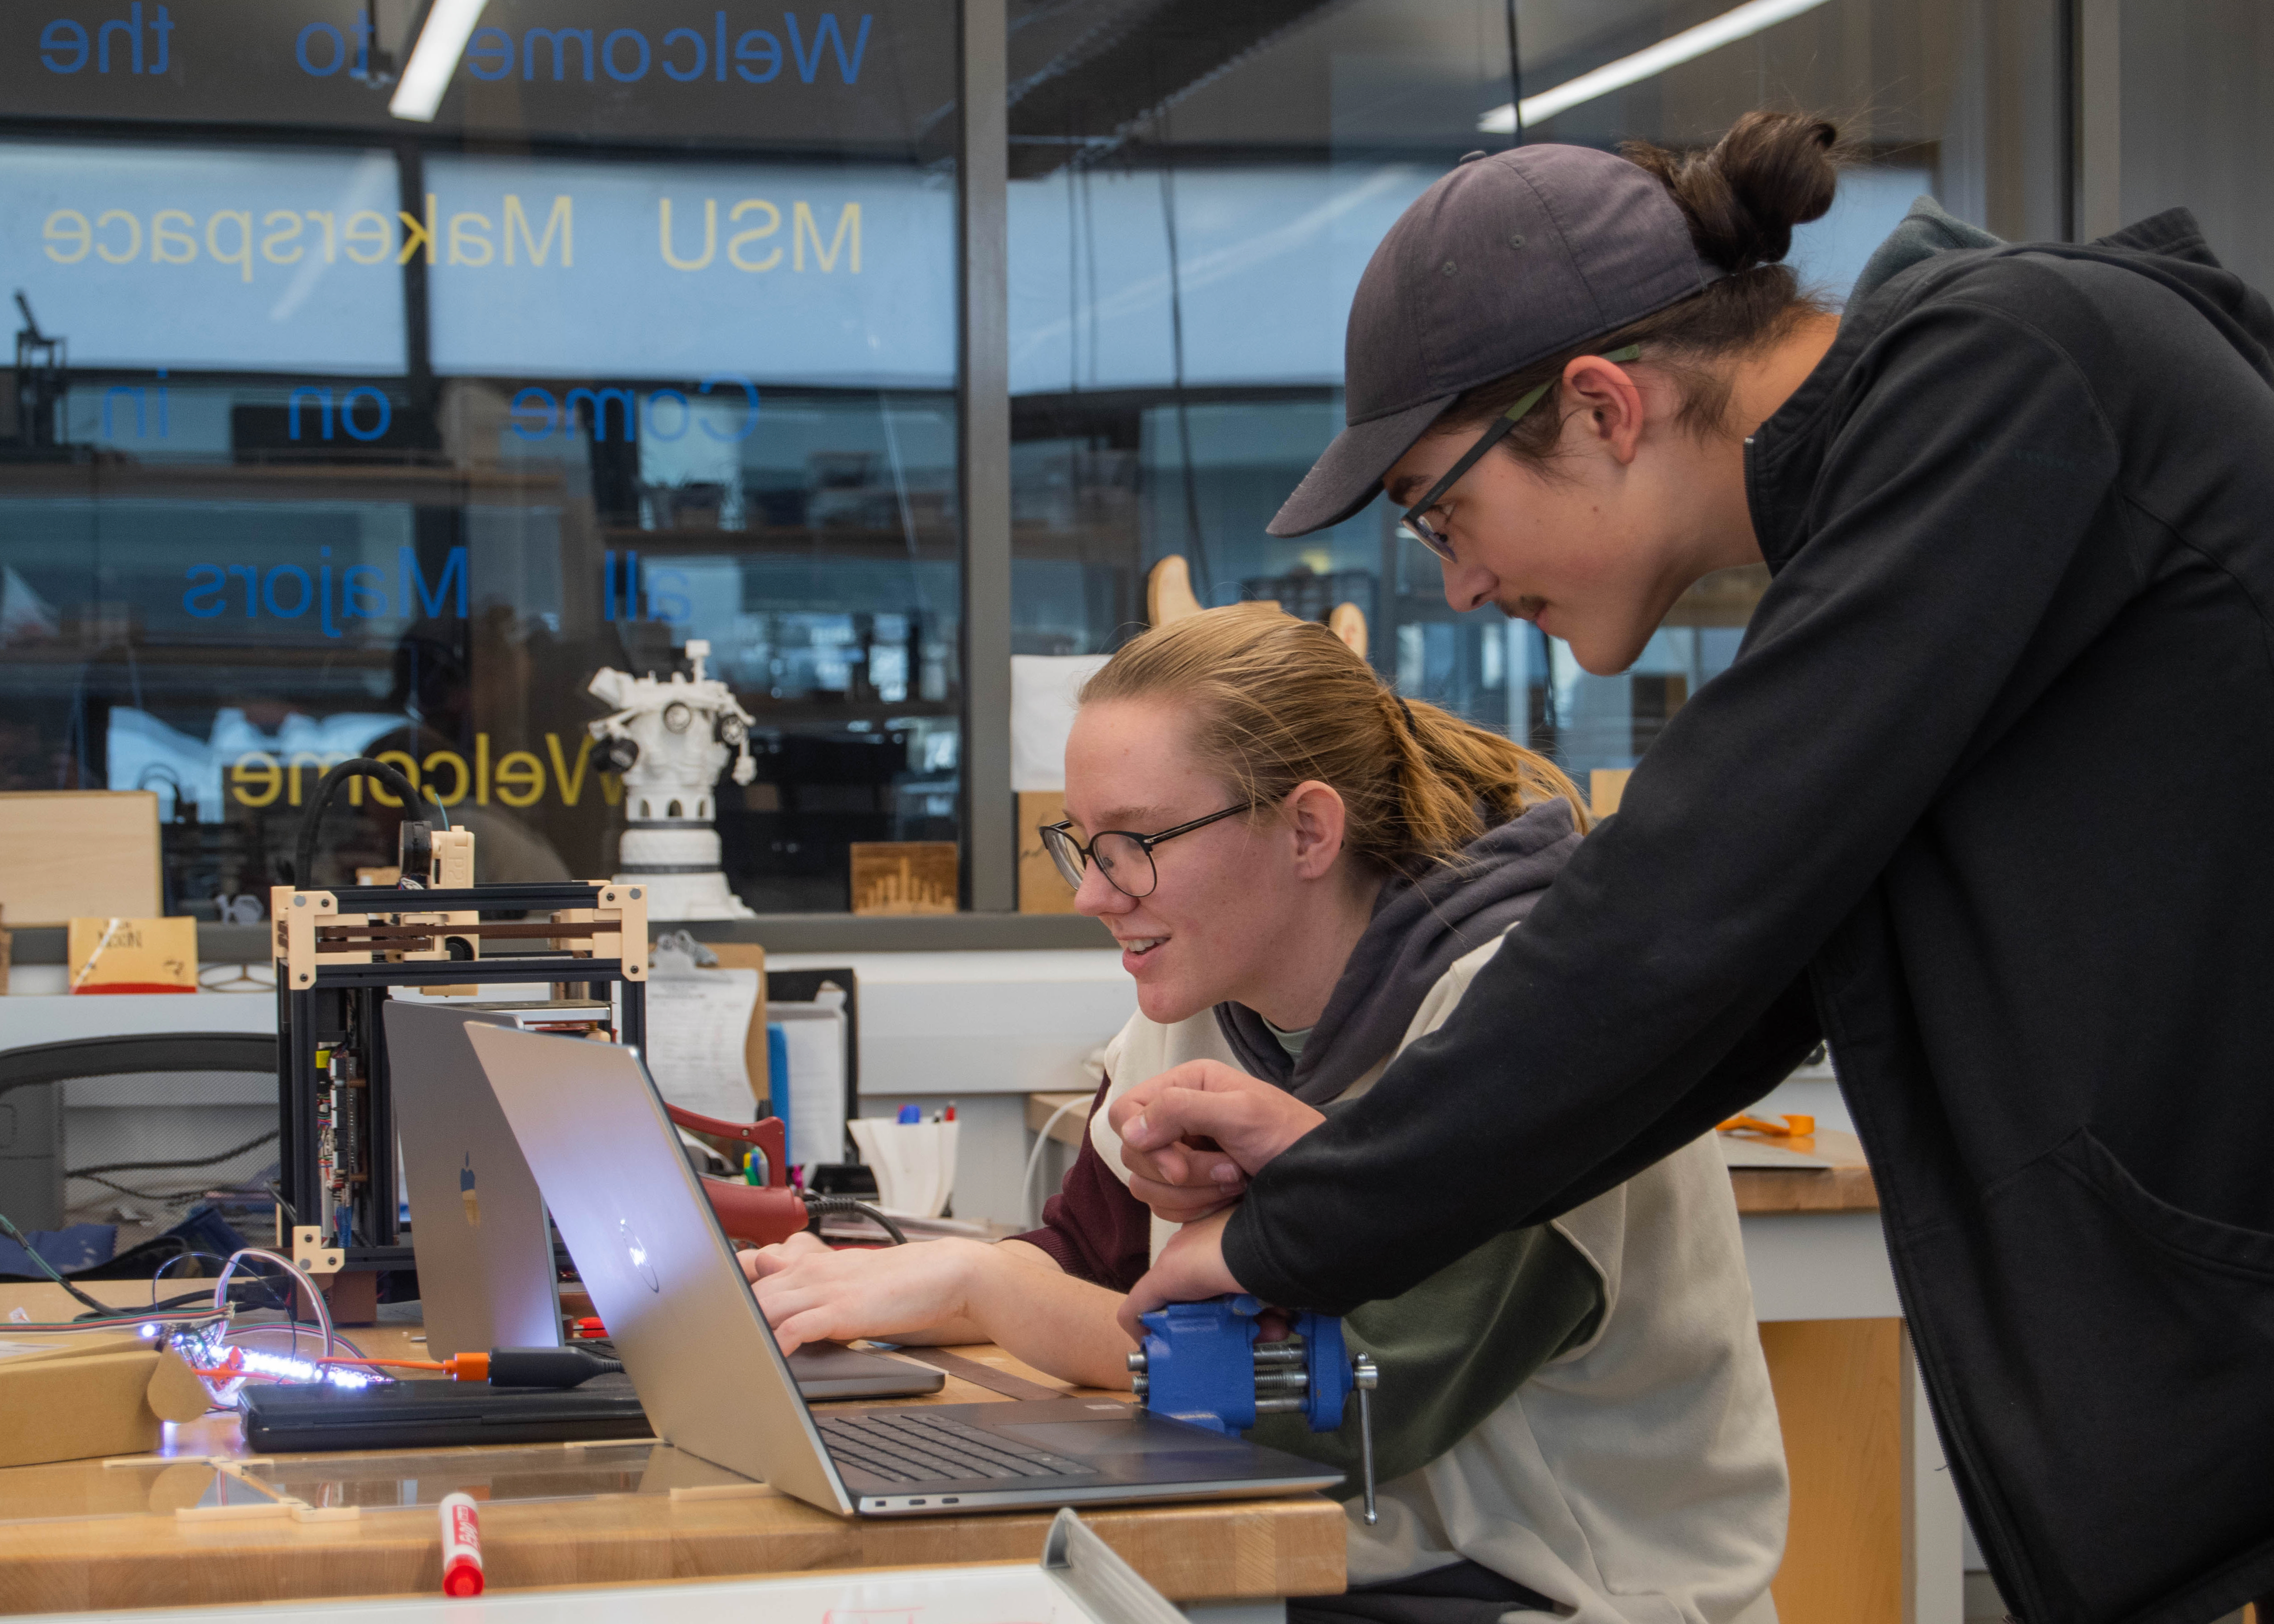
column 1982, row 802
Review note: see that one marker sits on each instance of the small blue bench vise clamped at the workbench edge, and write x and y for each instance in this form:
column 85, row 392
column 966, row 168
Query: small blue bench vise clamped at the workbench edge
column 1204, row 1364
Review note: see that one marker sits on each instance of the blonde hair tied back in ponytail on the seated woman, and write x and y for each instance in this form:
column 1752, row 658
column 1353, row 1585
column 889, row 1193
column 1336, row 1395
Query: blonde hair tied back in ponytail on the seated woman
column 1279, row 702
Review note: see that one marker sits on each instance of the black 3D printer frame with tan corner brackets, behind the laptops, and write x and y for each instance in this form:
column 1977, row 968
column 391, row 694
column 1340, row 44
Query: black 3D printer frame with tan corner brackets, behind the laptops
column 338, row 952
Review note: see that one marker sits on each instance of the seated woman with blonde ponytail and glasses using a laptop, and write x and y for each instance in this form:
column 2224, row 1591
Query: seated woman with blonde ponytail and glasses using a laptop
column 1306, row 872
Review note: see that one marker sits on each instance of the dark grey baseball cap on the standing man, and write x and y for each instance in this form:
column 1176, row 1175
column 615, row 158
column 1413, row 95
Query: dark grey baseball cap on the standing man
column 1509, row 260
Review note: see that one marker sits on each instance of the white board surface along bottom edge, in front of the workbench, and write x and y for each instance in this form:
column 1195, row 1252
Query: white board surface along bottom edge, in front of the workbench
column 940, row 1596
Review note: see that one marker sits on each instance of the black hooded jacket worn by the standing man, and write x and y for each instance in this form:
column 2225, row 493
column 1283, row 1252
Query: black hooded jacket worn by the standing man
column 1989, row 802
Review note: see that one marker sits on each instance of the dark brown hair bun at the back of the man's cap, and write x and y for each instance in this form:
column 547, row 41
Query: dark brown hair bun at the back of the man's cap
column 1745, row 194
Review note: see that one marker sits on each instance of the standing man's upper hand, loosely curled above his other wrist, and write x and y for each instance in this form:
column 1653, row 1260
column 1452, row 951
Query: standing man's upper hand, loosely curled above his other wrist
column 1193, row 1136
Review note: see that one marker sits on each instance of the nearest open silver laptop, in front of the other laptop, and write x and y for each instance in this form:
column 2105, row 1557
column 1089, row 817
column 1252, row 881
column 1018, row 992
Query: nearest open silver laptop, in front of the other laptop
column 713, row 1379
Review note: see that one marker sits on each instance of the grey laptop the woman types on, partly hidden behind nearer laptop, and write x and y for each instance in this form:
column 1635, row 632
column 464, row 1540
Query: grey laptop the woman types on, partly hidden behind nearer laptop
column 479, row 1223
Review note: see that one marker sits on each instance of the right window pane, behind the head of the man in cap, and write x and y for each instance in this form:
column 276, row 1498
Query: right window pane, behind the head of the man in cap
column 1193, row 217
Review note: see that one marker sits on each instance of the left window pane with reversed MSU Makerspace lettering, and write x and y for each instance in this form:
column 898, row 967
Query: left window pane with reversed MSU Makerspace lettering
column 347, row 424
